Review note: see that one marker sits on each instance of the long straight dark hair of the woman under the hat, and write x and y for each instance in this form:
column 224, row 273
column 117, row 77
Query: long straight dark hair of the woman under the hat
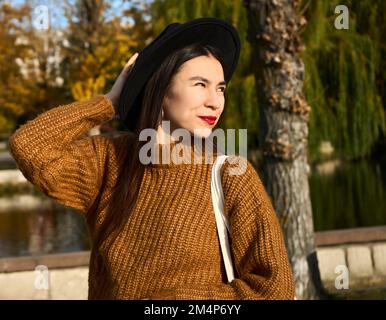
column 125, row 192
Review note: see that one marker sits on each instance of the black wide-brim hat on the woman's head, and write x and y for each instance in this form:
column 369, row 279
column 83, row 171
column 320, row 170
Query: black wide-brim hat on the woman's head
column 208, row 30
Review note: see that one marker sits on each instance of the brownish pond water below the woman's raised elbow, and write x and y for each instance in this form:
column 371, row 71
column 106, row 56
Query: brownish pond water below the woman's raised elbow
column 42, row 232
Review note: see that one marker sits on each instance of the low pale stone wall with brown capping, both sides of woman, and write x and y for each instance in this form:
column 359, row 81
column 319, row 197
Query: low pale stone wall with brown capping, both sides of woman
column 365, row 261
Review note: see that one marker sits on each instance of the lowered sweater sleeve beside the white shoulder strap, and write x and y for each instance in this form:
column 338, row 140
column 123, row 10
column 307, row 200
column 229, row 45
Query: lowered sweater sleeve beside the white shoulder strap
column 262, row 269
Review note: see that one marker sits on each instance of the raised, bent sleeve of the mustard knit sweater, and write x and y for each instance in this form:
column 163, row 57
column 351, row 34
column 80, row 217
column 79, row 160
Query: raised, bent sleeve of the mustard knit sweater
column 52, row 155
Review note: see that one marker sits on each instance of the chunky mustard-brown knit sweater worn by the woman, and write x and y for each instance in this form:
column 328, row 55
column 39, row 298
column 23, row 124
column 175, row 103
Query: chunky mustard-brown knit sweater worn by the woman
column 169, row 248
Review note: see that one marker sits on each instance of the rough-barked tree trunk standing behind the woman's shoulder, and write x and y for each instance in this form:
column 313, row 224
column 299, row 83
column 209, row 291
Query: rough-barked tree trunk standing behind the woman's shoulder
column 273, row 32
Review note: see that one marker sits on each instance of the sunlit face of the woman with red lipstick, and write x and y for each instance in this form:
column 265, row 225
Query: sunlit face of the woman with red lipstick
column 196, row 91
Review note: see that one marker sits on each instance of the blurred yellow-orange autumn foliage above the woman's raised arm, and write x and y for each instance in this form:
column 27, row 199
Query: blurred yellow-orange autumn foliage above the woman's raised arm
column 86, row 70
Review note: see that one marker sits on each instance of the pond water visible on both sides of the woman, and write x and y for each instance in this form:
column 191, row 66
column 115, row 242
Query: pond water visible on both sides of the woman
column 346, row 196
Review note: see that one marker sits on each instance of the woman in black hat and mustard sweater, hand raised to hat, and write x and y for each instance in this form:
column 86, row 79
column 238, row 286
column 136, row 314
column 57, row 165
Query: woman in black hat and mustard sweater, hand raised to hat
column 152, row 226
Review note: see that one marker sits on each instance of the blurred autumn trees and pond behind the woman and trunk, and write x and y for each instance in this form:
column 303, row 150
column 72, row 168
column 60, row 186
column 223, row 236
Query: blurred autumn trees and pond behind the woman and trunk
column 79, row 51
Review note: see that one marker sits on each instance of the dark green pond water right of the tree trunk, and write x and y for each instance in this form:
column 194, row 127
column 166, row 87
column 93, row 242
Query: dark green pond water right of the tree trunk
column 353, row 195
